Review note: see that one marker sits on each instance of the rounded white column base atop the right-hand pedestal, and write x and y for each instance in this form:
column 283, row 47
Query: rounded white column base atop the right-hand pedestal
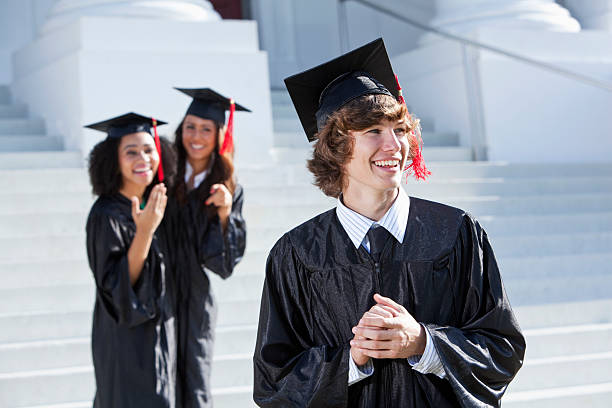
column 464, row 16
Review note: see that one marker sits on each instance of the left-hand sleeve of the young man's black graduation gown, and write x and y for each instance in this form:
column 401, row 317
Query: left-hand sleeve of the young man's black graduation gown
column 290, row 370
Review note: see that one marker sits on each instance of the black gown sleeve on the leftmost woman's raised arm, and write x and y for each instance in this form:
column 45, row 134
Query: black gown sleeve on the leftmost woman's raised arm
column 107, row 247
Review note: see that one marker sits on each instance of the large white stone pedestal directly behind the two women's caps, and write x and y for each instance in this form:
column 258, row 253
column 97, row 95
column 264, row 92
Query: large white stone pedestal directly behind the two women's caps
column 99, row 67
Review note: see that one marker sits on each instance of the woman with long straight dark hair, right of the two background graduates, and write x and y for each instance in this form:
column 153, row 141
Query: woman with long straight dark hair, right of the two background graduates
column 210, row 202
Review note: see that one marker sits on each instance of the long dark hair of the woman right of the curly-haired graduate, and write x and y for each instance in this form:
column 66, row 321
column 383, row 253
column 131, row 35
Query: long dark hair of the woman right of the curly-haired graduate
column 222, row 171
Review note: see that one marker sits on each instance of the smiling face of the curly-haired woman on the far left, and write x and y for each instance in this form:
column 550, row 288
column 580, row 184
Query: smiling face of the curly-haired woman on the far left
column 138, row 160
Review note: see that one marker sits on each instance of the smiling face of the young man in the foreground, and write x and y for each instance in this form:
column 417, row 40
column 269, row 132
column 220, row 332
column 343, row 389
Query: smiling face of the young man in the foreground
column 379, row 155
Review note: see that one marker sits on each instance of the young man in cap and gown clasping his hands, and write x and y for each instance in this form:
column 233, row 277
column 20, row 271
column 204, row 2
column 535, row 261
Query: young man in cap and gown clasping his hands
column 386, row 300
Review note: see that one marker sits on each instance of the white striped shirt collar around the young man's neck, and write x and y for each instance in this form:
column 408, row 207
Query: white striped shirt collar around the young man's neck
column 394, row 220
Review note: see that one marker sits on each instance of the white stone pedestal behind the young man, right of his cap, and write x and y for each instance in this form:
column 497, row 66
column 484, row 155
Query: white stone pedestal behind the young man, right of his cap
column 527, row 114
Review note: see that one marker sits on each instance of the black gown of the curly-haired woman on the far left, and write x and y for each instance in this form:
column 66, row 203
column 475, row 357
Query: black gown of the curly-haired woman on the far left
column 134, row 334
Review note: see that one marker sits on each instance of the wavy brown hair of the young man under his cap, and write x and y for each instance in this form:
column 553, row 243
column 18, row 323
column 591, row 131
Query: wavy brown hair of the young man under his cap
column 334, row 146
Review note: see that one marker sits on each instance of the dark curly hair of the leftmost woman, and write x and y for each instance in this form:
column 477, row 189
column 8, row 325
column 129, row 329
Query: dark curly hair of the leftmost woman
column 104, row 173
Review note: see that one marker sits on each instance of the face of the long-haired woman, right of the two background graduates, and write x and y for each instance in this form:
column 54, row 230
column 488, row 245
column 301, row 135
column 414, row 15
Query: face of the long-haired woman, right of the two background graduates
column 199, row 137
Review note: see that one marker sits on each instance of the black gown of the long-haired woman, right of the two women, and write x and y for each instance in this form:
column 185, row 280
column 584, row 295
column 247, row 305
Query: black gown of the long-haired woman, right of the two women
column 205, row 248
